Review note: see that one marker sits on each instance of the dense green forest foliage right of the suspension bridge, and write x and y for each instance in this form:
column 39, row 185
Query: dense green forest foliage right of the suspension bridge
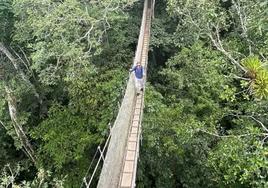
column 205, row 121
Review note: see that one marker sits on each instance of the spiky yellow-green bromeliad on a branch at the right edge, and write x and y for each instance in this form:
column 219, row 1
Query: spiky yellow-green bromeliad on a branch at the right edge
column 258, row 75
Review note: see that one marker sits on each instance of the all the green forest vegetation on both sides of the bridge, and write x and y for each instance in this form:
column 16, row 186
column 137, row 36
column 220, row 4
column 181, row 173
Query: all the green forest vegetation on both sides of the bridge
column 64, row 65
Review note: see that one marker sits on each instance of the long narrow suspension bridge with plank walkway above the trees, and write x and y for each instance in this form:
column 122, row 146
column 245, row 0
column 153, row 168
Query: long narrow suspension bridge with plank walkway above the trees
column 121, row 149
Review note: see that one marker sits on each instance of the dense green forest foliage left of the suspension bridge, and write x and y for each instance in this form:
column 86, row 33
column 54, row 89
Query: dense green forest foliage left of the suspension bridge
column 63, row 68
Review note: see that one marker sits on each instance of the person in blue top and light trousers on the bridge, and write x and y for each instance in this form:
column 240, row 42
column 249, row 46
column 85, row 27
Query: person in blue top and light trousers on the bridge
column 139, row 74
